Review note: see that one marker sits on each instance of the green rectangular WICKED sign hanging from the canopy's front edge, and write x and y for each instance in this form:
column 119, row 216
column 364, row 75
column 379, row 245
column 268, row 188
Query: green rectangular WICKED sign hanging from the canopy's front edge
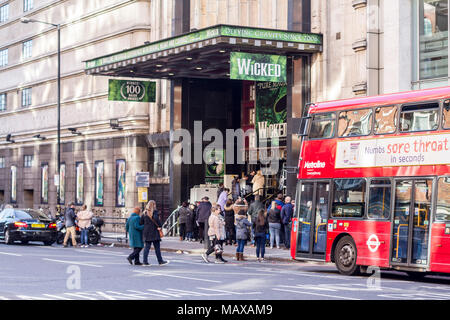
column 257, row 67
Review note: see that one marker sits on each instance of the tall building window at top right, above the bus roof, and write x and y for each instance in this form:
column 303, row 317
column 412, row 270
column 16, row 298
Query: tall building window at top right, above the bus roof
column 433, row 39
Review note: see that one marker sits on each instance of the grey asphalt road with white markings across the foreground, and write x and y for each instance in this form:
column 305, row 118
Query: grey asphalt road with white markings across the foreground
column 102, row 273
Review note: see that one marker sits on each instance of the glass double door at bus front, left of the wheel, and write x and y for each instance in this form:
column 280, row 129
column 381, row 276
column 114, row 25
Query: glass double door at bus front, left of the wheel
column 313, row 216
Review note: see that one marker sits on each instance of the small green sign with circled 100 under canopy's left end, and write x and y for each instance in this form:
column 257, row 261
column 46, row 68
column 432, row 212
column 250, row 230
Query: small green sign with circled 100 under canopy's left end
column 127, row 90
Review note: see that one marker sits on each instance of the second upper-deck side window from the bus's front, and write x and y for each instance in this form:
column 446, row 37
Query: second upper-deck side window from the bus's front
column 355, row 123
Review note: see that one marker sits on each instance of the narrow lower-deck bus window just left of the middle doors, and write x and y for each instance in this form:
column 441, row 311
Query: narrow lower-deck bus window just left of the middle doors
column 379, row 199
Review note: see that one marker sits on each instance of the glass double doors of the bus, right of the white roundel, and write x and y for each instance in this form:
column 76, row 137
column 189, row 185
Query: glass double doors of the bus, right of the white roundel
column 412, row 209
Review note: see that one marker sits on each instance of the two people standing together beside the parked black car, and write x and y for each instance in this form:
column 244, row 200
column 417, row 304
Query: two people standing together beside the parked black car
column 82, row 219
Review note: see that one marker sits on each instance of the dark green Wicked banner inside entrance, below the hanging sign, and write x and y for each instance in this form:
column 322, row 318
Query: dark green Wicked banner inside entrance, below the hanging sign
column 271, row 112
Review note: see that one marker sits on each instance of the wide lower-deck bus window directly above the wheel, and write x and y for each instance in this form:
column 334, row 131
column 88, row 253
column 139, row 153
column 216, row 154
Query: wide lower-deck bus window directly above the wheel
column 349, row 197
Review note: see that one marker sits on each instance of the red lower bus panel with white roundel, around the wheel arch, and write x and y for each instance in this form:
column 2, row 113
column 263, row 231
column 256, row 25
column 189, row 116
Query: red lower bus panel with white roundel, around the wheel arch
column 372, row 240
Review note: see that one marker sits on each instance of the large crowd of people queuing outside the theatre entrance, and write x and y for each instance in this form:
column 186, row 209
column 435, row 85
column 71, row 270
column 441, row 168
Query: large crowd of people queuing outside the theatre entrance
column 233, row 221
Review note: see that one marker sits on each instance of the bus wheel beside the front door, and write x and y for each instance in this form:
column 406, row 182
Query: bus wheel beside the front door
column 345, row 256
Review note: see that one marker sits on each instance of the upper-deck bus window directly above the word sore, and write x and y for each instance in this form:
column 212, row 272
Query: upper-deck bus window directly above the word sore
column 419, row 118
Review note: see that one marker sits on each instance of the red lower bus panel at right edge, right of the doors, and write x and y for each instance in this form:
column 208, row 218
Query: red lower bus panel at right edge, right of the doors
column 440, row 248
